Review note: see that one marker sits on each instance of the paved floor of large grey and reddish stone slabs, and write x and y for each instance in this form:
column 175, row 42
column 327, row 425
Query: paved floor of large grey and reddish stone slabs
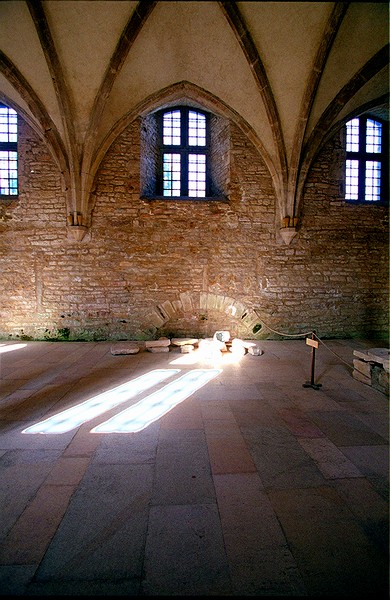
column 252, row 485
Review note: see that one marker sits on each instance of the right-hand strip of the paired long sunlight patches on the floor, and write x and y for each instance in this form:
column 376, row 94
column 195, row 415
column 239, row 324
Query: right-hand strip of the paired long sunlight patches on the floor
column 146, row 411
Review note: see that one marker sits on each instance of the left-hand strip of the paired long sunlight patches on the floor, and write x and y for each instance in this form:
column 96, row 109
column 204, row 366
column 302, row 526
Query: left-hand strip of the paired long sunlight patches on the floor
column 77, row 415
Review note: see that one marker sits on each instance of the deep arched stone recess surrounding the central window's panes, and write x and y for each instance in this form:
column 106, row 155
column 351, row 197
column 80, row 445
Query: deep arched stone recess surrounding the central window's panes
column 218, row 173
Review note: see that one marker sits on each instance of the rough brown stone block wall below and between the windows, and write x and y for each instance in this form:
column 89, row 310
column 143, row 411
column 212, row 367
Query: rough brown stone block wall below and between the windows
column 149, row 268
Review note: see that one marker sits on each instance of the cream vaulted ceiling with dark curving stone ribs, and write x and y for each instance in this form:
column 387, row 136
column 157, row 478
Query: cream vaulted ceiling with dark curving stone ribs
column 289, row 73
